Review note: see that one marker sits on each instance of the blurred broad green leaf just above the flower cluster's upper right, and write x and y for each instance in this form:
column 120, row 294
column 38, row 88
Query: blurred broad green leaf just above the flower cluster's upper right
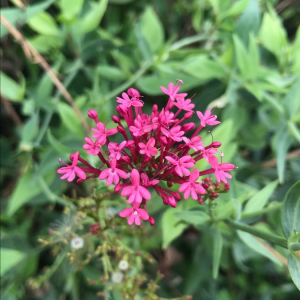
column 202, row 67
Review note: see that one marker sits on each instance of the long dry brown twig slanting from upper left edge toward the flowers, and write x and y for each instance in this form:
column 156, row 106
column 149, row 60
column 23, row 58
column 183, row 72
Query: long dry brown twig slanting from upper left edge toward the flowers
column 34, row 56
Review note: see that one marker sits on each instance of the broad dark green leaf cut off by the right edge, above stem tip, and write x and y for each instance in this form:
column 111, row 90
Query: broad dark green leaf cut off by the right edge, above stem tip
column 290, row 215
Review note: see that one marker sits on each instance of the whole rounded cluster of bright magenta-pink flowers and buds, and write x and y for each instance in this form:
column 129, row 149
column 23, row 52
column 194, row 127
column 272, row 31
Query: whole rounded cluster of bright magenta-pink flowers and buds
column 154, row 153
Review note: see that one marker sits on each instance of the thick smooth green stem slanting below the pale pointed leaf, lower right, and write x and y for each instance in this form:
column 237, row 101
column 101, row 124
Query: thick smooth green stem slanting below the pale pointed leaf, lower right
column 278, row 240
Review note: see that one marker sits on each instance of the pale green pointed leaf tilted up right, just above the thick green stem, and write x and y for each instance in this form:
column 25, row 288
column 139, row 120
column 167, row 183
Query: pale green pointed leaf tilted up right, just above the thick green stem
column 260, row 199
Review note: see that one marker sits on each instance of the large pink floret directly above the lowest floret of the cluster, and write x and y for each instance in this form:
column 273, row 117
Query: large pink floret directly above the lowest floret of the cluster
column 136, row 192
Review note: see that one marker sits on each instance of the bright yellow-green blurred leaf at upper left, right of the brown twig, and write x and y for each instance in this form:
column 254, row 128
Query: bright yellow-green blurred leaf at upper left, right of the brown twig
column 44, row 24
